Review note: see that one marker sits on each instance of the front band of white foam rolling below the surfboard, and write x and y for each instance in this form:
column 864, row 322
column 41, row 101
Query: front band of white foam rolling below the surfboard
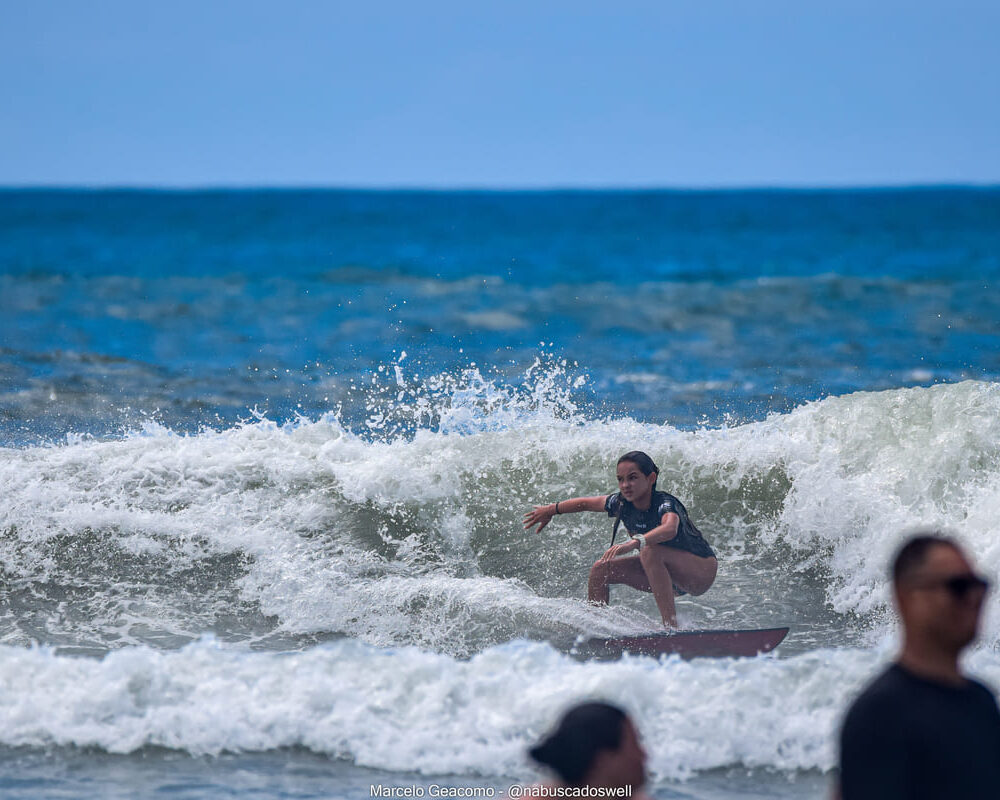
column 414, row 711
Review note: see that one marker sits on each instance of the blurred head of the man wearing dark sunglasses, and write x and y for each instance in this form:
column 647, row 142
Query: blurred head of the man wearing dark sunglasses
column 938, row 594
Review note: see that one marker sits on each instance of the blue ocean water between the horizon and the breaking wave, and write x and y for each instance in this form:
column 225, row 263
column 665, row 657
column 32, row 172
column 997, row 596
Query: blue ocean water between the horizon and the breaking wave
column 678, row 307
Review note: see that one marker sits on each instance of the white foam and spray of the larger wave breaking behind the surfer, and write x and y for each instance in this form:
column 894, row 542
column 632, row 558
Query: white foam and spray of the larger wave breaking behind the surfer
column 418, row 539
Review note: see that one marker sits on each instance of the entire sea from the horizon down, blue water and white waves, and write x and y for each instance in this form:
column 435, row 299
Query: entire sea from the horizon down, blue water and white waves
column 264, row 456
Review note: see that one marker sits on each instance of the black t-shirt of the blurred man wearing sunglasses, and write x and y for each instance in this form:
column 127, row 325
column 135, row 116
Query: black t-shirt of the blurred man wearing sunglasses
column 908, row 738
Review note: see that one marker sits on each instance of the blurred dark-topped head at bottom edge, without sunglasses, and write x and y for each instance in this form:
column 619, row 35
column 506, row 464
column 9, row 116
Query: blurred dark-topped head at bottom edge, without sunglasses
column 594, row 744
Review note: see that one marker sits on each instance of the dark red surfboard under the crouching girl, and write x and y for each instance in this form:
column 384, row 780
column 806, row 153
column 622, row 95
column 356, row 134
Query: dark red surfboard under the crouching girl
column 686, row 644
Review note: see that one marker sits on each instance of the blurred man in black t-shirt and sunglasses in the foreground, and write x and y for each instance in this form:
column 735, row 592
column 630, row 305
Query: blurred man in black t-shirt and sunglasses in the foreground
column 922, row 729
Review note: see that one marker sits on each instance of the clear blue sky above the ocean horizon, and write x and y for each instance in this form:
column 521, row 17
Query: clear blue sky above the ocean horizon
column 501, row 94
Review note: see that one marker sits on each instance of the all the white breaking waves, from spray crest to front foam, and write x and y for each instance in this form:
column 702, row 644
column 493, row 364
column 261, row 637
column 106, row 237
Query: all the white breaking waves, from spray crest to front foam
column 270, row 585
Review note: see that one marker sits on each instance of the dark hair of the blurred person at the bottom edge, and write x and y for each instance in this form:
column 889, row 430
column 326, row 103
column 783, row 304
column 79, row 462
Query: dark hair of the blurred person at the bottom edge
column 581, row 734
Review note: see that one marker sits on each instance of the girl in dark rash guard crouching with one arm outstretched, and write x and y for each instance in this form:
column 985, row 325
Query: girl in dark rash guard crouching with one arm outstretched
column 673, row 555
